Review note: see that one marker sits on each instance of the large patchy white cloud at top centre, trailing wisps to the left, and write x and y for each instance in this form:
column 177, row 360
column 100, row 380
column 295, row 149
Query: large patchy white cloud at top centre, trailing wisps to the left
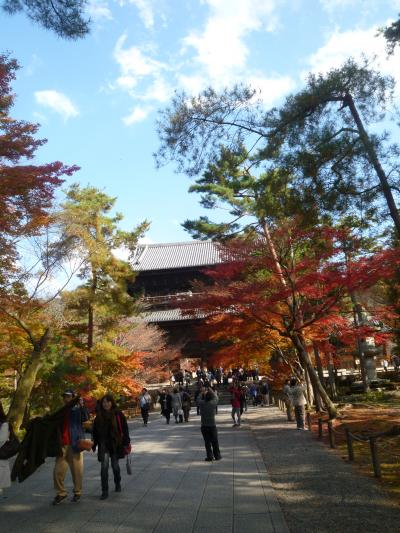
column 216, row 55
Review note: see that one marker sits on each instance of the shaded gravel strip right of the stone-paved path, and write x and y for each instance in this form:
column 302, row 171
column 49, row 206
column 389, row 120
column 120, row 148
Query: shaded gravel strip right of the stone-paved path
column 319, row 491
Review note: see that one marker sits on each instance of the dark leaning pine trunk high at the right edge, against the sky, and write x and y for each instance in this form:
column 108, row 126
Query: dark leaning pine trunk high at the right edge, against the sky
column 372, row 156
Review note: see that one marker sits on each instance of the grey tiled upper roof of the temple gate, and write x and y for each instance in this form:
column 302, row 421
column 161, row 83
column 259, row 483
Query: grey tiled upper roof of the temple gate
column 176, row 255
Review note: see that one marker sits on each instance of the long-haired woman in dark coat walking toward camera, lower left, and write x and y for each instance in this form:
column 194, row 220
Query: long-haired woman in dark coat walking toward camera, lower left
column 111, row 437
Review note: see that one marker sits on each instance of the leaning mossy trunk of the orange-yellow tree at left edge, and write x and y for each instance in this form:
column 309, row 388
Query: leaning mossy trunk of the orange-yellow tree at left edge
column 26, row 383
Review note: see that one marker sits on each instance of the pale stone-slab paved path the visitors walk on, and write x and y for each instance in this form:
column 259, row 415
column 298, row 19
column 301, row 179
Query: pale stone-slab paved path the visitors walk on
column 172, row 489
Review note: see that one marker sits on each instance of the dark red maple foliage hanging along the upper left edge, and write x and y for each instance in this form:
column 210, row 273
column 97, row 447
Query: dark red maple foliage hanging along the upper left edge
column 26, row 190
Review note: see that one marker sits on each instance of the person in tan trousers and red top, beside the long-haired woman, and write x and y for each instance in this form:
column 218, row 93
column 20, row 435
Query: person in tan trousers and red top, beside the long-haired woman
column 71, row 457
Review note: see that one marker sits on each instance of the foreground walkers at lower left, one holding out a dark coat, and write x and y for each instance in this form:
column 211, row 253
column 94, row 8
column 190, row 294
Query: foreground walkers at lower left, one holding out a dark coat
column 61, row 435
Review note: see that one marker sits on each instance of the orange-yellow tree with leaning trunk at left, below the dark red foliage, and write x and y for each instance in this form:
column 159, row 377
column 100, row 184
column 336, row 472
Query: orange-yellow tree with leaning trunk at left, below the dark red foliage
column 31, row 313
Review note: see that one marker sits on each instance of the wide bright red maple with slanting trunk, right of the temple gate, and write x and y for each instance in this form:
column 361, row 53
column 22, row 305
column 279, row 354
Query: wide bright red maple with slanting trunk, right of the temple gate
column 308, row 306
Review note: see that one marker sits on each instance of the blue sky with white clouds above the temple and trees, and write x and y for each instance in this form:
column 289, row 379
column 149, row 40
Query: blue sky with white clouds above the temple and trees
column 97, row 99
